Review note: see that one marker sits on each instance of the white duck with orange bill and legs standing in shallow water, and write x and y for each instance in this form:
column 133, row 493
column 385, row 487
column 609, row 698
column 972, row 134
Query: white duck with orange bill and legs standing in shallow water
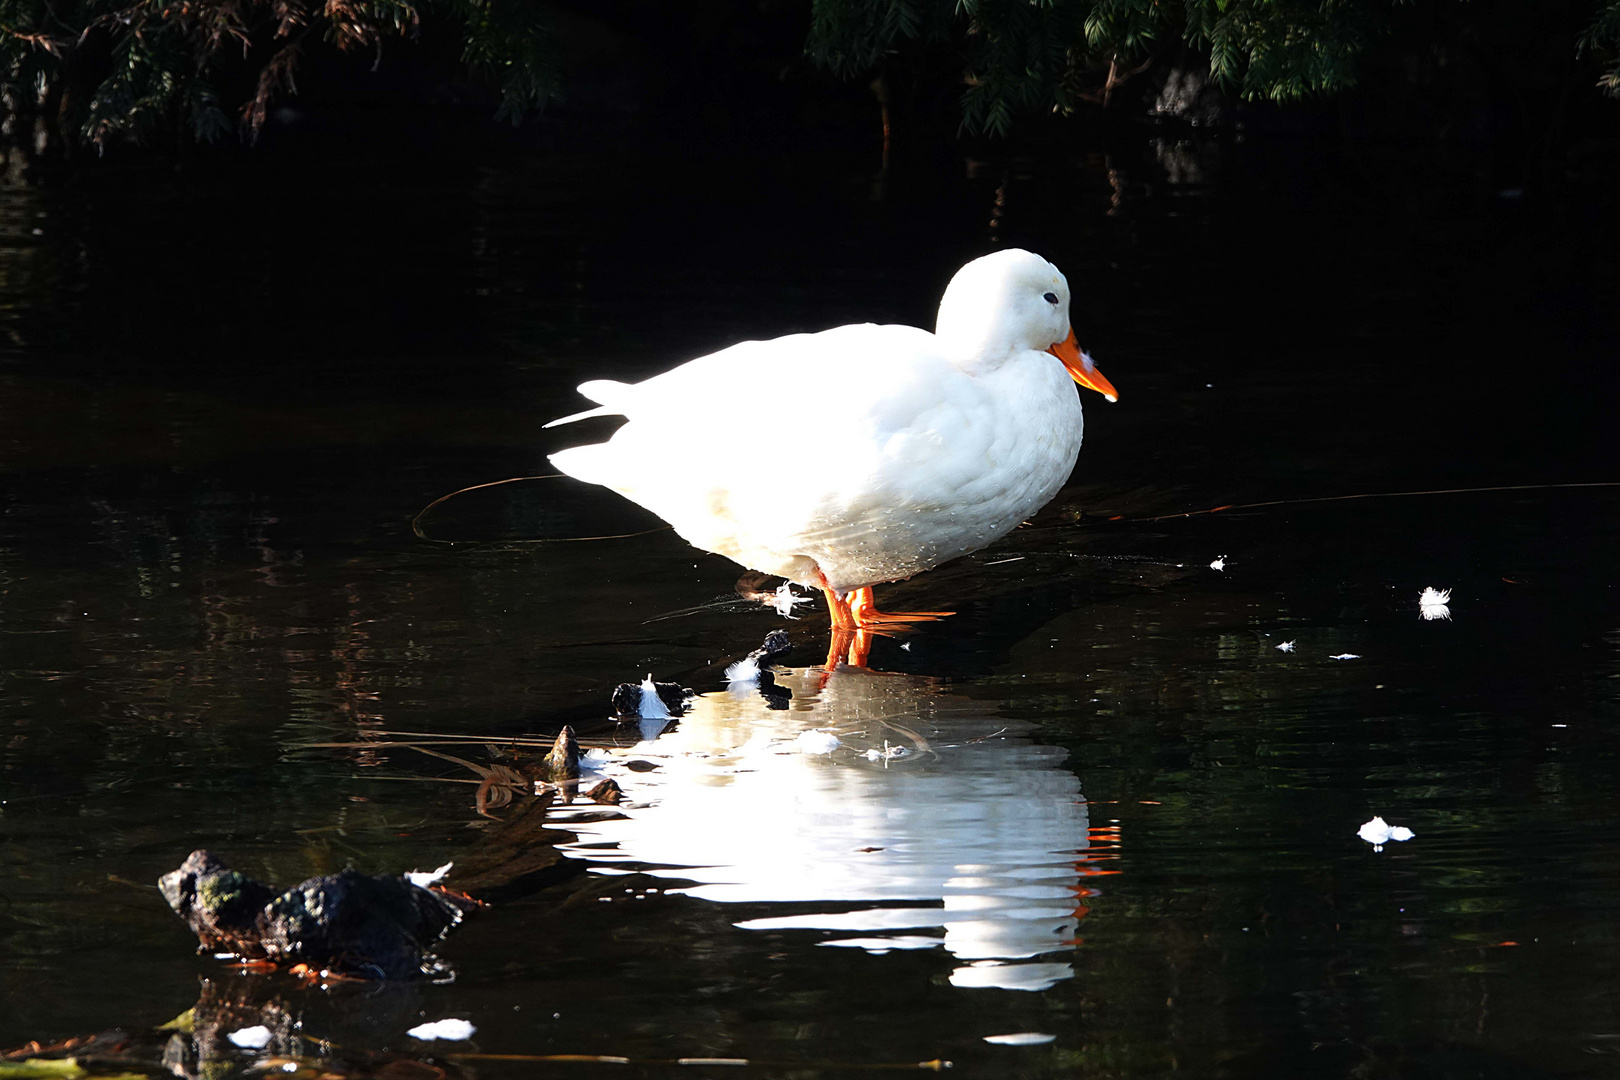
column 923, row 446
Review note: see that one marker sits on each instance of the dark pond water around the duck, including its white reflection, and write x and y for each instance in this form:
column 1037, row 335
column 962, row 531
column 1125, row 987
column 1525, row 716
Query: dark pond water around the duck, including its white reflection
column 1120, row 815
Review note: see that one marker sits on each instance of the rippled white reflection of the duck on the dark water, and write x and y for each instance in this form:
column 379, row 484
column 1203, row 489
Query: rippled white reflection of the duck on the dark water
column 957, row 823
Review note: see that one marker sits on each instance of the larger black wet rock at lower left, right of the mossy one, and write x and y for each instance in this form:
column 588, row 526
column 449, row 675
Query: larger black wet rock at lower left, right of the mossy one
column 370, row 925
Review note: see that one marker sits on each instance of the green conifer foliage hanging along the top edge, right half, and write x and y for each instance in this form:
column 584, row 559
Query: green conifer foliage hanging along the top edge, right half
column 1034, row 56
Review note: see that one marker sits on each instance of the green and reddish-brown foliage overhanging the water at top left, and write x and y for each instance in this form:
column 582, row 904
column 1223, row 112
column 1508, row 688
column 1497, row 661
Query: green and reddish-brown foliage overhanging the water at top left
column 100, row 70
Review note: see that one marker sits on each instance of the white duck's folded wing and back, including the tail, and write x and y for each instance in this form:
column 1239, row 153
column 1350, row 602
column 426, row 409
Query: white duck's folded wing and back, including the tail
column 796, row 444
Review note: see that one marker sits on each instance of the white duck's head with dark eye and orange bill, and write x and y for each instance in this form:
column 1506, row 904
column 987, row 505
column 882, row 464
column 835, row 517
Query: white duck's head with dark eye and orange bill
column 1008, row 304
